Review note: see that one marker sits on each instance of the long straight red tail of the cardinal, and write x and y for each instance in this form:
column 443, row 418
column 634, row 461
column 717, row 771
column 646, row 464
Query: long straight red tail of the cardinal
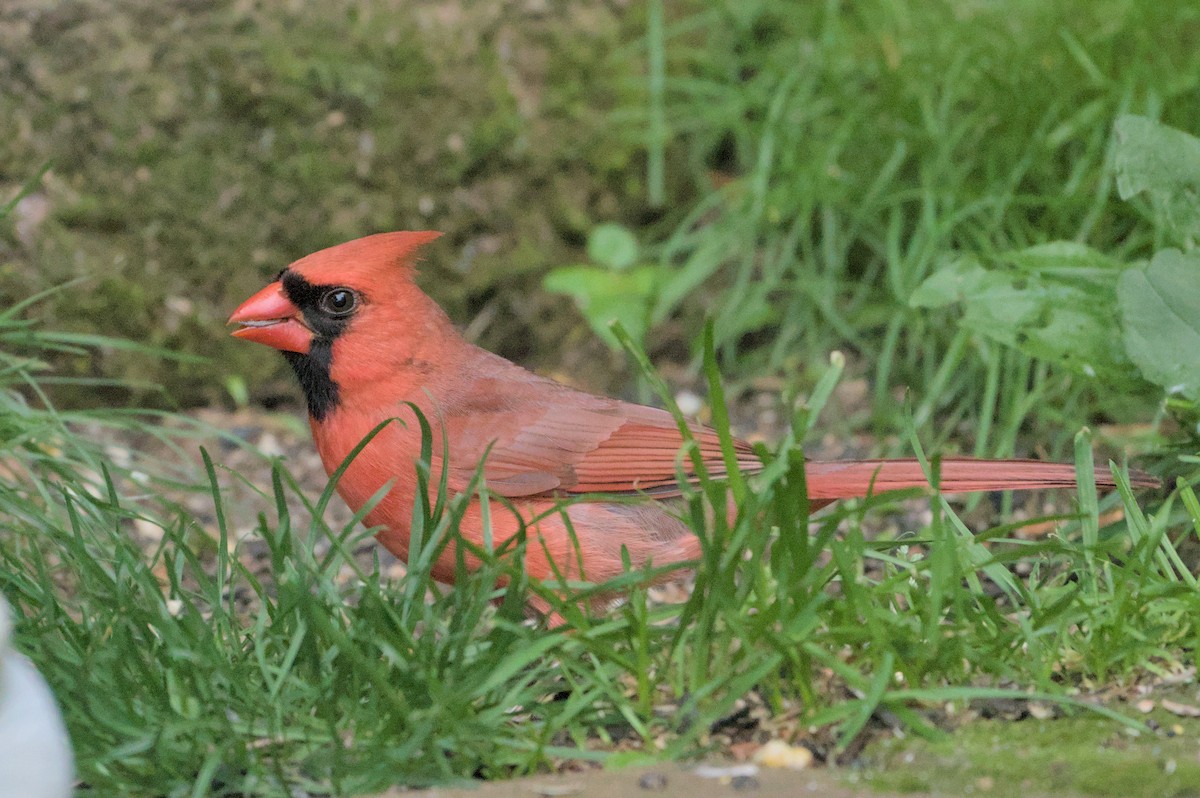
column 859, row 478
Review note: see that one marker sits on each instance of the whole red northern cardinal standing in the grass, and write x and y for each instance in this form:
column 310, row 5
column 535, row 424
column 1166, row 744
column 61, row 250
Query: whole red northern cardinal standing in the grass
column 364, row 340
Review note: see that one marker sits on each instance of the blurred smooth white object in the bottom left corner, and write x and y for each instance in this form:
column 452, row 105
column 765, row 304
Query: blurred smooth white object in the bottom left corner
column 35, row 752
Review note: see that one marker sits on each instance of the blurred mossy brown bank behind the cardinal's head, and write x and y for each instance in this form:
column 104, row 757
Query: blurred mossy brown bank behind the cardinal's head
column 199, row 148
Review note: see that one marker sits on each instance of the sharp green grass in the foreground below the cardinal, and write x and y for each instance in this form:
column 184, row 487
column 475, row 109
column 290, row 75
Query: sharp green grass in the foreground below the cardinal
column 184, row 671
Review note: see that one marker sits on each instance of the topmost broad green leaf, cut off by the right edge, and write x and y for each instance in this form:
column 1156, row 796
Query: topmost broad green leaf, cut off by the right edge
column 1165, row 164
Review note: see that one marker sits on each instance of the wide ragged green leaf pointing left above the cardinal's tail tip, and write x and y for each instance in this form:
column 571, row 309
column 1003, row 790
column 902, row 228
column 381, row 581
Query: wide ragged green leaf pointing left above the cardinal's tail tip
column 1058, row 307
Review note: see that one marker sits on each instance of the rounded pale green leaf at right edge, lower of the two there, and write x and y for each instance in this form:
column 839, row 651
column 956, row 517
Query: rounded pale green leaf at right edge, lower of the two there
column 1161, row 315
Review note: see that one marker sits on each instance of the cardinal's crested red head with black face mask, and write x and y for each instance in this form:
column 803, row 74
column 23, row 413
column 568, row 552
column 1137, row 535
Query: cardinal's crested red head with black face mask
column 341, row 314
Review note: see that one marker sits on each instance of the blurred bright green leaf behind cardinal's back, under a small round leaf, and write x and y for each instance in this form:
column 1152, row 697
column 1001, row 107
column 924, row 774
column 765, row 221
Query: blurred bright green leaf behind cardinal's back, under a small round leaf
column 604, row 296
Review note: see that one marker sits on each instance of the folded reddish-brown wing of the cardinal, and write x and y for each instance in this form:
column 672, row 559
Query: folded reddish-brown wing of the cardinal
column 548, row 440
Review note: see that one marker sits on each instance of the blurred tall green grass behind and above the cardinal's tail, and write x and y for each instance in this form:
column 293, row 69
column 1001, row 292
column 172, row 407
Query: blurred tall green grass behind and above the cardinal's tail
column 869, row 143
